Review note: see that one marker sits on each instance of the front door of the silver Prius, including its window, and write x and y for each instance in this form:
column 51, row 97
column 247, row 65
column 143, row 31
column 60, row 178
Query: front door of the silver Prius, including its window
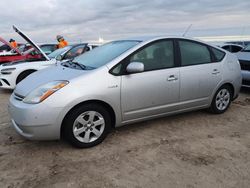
column 154, row 91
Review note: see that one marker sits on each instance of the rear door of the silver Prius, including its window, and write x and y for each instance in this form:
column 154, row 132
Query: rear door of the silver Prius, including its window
column 199, row 73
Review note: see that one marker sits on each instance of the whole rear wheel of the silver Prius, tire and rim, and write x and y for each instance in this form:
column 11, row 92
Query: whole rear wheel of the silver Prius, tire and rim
column 222, row 100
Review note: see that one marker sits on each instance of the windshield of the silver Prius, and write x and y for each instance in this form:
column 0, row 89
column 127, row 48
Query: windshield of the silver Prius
column 105, row 53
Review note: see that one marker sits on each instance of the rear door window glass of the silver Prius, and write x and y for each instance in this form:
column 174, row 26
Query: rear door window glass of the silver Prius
column 193, row 53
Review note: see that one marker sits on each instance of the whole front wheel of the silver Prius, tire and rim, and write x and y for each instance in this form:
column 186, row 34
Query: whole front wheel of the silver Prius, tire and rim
column 87, row 125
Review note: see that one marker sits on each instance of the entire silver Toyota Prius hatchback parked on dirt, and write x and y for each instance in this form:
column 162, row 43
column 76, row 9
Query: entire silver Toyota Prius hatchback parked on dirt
column 123, row 82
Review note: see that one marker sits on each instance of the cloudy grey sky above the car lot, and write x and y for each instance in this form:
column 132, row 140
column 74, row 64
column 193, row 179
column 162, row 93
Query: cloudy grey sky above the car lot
column 87, row 20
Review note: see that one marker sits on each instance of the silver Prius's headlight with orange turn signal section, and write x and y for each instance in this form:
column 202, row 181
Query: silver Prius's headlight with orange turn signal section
column 44, row 91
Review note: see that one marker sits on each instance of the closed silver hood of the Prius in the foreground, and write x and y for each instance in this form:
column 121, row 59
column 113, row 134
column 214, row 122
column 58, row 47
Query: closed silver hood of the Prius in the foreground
column 39, row 78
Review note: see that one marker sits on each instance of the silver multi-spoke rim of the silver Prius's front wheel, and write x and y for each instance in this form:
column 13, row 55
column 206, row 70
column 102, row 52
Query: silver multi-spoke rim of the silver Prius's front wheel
column 88, row 126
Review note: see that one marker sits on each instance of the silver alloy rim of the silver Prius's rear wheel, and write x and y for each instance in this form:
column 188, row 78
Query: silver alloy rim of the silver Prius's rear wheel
column 222, row 99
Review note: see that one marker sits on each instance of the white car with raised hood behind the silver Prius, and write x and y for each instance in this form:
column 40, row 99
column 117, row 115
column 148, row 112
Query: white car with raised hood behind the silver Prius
column 13, row 73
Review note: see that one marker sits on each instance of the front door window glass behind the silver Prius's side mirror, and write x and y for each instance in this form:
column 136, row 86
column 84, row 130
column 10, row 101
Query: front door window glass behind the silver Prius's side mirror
column 158, row 55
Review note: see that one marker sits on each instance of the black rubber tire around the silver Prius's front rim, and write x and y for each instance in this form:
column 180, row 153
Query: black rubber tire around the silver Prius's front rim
column 71, row 117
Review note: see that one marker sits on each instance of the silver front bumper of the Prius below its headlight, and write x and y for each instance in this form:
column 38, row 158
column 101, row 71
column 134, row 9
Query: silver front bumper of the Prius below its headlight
column 34, row 121
